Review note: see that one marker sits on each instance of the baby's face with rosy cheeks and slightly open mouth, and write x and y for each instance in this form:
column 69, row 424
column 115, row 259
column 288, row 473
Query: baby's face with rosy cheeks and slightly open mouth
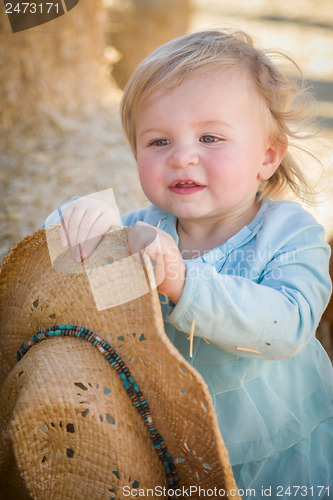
column 203, row 148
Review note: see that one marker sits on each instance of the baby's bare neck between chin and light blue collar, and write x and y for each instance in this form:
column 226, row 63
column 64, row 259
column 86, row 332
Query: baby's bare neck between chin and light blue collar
column 199, row 237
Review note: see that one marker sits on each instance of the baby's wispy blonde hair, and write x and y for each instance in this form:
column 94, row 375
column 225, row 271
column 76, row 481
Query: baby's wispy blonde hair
column 287, row 101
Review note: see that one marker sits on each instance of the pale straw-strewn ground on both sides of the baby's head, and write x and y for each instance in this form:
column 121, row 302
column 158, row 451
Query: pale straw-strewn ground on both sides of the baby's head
column 80, row 155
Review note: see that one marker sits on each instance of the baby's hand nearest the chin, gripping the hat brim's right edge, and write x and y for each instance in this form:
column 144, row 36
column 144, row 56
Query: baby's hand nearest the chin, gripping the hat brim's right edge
column 169, row 268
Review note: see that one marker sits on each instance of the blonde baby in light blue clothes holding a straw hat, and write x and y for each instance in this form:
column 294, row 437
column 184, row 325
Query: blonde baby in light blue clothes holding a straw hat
column 208, row 118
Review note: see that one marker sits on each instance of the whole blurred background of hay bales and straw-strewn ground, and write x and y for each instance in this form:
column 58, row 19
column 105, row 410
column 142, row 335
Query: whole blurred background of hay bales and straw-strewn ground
column 61, row 82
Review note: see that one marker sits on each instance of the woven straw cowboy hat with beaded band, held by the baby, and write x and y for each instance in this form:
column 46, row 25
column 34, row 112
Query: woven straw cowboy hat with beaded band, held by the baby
column 115, row 412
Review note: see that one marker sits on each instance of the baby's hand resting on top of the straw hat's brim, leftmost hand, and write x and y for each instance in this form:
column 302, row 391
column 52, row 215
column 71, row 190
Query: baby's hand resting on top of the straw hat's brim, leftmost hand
column 84, row 223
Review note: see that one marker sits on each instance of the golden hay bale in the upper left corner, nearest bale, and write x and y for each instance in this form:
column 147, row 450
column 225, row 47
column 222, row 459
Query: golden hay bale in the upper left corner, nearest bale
column 54, row 66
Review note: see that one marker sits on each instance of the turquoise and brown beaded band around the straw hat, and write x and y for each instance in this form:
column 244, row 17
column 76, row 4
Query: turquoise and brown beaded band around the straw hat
column 131, row 387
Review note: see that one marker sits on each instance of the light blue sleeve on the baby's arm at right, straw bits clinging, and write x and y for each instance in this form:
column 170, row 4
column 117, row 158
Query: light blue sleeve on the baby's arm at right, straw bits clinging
column 272, row 318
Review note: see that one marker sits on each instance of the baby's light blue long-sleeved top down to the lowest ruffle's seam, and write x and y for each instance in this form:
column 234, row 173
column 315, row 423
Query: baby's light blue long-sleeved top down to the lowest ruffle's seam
column 263, row 290
